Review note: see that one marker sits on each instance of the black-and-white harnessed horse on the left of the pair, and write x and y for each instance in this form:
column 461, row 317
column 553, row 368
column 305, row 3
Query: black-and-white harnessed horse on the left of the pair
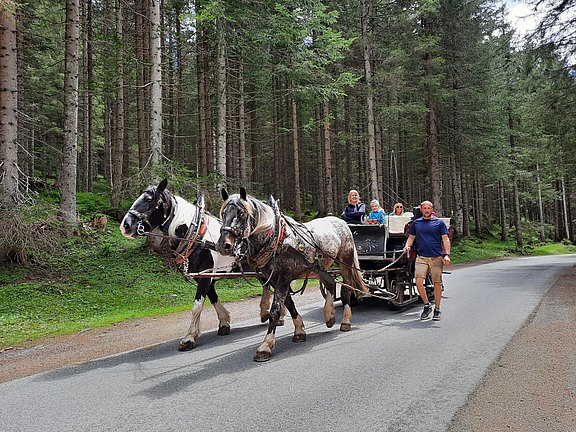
column 189, row 229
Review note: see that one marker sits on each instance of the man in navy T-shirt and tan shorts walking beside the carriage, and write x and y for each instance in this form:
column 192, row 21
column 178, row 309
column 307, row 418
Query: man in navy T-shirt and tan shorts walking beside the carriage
column 432, row 253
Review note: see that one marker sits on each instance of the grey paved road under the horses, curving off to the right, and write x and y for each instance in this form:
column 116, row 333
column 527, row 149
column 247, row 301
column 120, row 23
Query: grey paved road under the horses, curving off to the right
column 390, row 373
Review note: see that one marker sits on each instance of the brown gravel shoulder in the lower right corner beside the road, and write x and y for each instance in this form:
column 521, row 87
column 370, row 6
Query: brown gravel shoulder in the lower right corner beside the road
column 532, row 386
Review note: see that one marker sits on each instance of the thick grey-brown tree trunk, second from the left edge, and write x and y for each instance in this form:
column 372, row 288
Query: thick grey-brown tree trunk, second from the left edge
column 70, row 147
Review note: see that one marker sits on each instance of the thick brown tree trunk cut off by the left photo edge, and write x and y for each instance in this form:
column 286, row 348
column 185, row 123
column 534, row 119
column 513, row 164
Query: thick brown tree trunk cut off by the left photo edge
column 8, row 107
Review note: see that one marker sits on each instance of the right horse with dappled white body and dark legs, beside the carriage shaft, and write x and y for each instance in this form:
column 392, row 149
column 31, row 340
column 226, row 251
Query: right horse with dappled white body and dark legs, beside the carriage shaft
column 283, row 250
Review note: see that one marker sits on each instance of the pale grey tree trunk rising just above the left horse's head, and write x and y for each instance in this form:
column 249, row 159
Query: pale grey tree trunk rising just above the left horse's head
column 155, row 84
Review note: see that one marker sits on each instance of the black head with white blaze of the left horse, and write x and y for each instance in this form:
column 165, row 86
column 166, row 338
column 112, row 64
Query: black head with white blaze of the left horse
column 150, row 210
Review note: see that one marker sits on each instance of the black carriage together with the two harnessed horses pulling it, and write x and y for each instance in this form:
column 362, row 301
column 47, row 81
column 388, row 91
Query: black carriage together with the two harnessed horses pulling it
column 370, row 259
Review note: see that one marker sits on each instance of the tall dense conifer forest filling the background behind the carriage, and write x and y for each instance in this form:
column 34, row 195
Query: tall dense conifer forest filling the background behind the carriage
column 402, row 100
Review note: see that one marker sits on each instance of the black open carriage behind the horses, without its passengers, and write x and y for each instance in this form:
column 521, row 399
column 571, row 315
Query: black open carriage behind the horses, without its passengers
column 388, row 271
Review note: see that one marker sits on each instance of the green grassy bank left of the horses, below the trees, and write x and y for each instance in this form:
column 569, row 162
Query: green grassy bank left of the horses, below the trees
column 95, row 282
